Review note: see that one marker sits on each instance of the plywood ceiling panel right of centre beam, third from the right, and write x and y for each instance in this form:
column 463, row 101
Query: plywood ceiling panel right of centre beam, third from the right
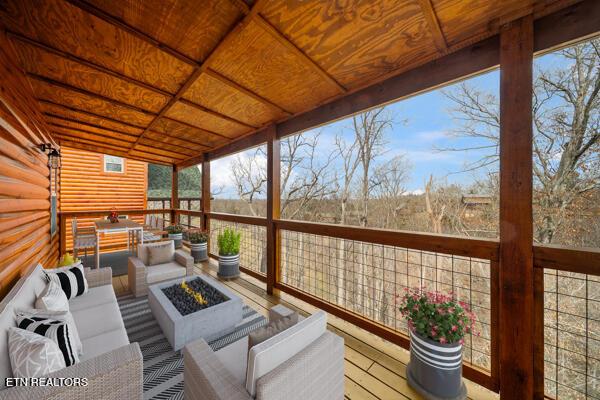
column 254, row 59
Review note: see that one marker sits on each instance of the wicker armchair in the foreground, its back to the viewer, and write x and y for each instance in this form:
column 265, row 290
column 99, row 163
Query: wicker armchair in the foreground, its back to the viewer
column 304, row 362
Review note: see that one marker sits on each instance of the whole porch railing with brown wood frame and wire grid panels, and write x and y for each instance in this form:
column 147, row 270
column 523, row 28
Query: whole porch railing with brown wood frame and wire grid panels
column 355, row 273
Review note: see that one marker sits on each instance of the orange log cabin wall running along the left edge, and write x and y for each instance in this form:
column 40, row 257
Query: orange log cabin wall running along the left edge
column 25, row 238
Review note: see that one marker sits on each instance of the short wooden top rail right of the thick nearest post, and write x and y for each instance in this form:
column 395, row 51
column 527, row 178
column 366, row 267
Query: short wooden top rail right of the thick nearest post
column 582, row 260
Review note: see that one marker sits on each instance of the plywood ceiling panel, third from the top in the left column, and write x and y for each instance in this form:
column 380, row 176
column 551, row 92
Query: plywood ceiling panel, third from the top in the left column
column 51, row 66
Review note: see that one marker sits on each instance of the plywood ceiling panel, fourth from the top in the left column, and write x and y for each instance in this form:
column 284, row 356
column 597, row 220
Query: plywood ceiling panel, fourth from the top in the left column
column 84, row 102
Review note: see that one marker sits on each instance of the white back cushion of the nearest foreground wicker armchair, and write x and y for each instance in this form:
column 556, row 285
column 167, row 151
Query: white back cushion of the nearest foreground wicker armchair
column 268, row 355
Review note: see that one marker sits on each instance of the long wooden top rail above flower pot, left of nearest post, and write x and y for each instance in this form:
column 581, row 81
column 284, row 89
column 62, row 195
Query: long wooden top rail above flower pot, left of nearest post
column 448, row 244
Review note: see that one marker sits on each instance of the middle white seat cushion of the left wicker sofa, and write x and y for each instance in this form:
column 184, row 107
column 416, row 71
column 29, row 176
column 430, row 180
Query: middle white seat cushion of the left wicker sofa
column 93, row 321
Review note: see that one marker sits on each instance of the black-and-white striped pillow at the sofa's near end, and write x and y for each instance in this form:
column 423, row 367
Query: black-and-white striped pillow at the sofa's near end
column 57, row 331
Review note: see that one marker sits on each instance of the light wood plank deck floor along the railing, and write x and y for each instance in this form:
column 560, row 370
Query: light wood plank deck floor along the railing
column 375, row 368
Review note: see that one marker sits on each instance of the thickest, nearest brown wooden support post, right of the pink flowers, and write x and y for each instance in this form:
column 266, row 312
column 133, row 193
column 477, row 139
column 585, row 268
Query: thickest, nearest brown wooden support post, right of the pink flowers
column 516, row 276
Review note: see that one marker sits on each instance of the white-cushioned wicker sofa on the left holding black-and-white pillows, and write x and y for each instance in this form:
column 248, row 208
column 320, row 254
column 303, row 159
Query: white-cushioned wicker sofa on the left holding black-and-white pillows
column 111, row 365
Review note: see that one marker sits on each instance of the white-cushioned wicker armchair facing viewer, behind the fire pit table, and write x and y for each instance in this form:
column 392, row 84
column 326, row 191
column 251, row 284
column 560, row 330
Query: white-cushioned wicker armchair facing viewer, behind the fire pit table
column 141, row 274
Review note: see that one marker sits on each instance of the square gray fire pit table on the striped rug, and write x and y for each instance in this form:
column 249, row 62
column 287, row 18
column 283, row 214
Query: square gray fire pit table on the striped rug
column 209, row 324
